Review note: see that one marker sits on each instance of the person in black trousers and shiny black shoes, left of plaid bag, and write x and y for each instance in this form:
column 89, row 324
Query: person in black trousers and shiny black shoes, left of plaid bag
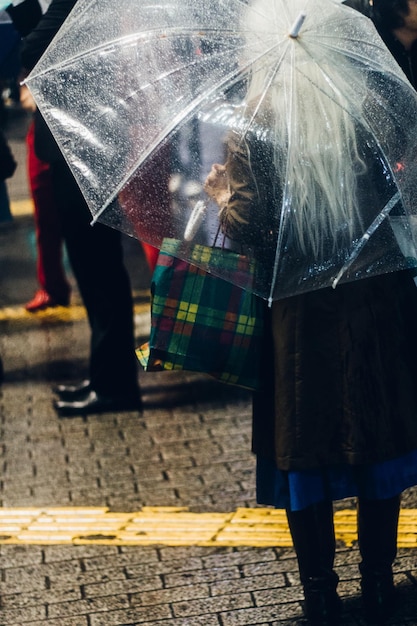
column 96, row 257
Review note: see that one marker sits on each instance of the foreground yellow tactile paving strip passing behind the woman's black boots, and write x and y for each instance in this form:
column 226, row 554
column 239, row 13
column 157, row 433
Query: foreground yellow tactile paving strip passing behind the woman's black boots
column 170, row 526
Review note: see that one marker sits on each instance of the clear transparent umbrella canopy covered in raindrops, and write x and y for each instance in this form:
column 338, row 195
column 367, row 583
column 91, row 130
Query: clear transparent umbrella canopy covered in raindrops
column 315, row 121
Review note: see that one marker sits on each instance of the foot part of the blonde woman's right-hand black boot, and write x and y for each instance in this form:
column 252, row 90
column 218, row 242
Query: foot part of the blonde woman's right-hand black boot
column 379, row 598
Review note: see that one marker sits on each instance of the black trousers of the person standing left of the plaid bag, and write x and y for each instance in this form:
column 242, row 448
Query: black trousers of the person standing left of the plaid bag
column 96, row 257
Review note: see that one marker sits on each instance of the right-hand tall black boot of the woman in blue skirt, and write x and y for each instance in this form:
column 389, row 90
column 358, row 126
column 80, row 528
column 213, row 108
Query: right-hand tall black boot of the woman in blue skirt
column 377, row 535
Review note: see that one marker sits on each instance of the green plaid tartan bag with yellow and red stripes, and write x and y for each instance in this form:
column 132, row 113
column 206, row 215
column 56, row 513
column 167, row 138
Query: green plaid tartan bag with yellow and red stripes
column 202, row 323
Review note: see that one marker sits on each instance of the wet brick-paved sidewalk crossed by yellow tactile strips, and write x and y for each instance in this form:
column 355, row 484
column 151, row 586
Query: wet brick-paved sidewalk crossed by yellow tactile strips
column 77, row 494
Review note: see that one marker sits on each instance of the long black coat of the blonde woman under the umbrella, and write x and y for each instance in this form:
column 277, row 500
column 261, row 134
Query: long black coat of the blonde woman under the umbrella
column 339, row 366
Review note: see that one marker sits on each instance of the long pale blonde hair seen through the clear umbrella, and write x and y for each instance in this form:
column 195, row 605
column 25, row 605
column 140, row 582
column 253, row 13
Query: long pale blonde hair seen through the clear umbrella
column 305, row 100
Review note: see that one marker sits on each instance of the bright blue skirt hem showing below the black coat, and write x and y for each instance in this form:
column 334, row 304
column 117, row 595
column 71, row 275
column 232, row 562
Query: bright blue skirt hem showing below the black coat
column 295, row 490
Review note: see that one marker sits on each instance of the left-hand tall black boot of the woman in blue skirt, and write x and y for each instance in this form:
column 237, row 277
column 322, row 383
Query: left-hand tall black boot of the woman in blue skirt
column 312, row 532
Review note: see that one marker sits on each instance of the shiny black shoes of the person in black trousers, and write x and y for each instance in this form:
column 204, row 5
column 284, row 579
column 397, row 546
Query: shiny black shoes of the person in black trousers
column 94, row 403
